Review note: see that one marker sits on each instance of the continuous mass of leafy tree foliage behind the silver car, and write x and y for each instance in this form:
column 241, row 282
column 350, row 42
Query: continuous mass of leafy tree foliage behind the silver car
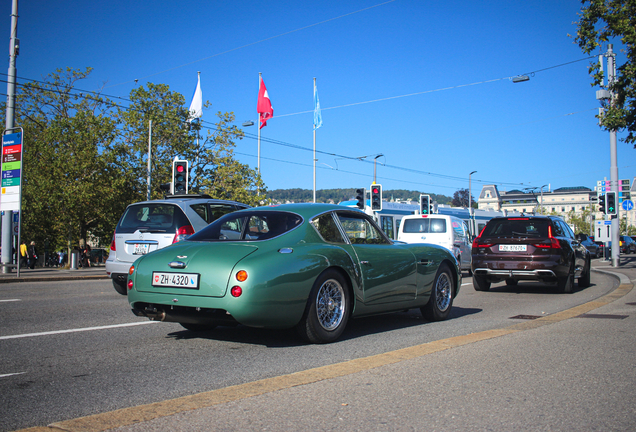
column 85, row 158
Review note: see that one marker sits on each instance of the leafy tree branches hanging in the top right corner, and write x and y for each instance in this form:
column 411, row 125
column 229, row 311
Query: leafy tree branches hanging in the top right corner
column 603, row 21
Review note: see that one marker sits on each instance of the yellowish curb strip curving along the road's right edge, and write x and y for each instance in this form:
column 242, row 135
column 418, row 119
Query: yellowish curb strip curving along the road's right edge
column 148, row 412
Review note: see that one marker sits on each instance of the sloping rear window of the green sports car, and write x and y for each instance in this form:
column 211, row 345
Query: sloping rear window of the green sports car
column 248, row 226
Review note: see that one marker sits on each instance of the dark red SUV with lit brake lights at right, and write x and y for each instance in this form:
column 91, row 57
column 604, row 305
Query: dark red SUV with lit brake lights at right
column 539, row 248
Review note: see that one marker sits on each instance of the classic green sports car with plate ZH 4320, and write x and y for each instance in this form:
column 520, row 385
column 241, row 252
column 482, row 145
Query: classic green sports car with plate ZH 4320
column 309, row 266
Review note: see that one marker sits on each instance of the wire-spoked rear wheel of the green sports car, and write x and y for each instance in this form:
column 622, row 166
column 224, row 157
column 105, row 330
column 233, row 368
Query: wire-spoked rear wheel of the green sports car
column 328, row 309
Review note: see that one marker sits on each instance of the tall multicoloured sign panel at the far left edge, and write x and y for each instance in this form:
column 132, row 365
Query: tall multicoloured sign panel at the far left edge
column 11, row 171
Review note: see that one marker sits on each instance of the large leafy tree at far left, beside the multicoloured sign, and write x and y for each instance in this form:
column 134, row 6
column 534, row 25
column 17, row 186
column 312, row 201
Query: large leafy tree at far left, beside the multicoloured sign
column 70, row 181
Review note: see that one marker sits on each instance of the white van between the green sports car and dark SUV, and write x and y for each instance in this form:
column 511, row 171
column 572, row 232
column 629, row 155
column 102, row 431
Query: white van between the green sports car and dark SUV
column 447, row 231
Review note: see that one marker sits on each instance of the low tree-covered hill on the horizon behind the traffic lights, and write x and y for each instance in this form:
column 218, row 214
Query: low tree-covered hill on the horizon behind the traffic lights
column 336, row 195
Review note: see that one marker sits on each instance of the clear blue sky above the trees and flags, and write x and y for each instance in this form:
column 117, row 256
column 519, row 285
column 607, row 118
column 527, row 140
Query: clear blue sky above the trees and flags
column 423, row 82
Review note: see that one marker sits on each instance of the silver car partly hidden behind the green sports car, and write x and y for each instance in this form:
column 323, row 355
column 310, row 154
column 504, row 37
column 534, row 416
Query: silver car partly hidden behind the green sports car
column 150, row 225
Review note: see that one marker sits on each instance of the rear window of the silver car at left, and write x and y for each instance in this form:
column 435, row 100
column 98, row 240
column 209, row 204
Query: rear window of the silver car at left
column 152, row 218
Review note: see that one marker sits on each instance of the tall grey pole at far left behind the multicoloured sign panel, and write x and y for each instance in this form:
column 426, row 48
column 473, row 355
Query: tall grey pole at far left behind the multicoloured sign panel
column 7, row 216
